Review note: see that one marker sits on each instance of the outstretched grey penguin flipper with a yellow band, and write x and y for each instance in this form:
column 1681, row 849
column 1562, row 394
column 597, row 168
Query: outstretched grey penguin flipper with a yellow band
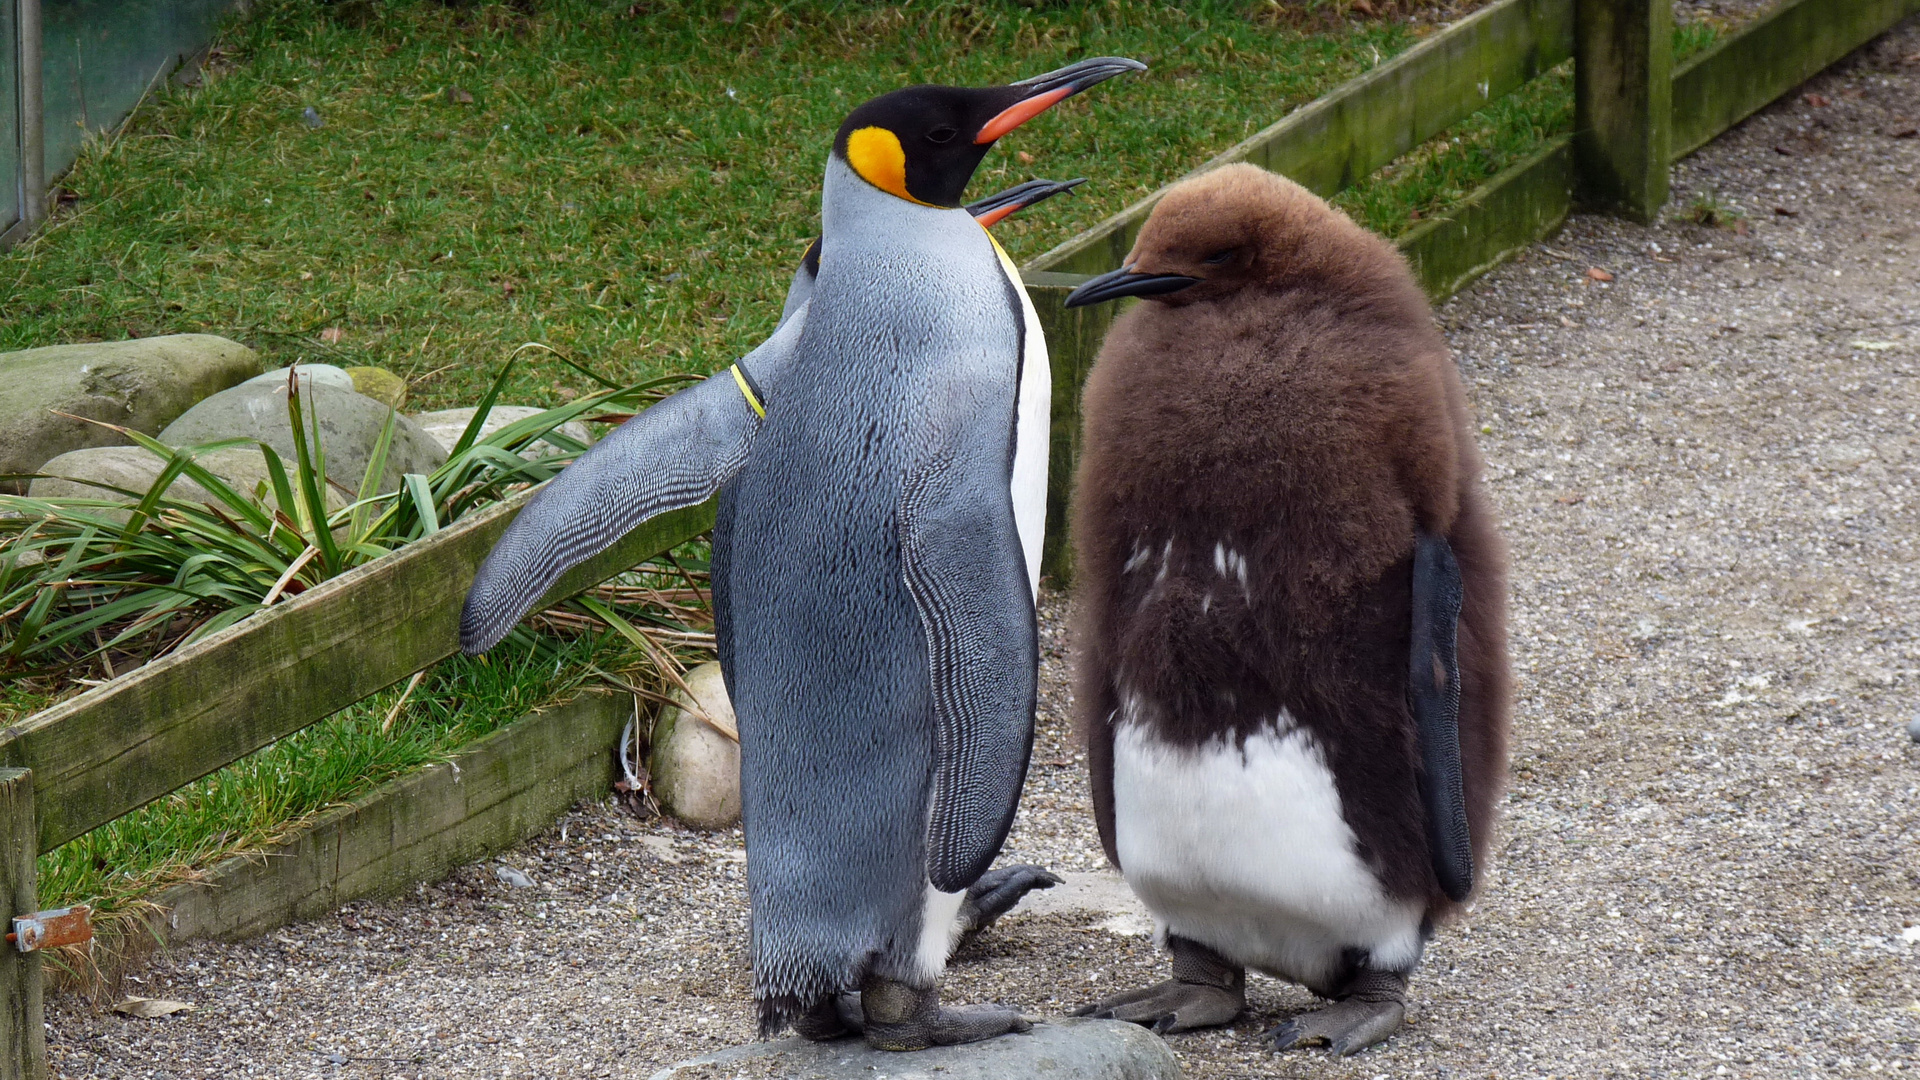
column 673, row 456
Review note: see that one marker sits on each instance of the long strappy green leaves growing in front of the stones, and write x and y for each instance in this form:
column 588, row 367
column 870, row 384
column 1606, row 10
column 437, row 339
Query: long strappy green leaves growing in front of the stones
column 87, row 579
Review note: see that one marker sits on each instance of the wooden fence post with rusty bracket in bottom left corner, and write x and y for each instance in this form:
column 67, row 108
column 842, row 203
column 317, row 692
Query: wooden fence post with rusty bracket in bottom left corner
column 22, row 1012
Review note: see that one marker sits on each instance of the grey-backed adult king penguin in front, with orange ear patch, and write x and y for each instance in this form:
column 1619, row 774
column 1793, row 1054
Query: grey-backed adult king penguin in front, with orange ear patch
column 882, row 464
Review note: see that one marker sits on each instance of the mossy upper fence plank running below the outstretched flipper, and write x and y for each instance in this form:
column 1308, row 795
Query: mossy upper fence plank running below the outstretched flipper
column 189, row 714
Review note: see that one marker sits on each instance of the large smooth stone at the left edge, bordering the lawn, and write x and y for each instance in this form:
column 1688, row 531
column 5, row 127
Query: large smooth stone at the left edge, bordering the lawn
column 141, row 385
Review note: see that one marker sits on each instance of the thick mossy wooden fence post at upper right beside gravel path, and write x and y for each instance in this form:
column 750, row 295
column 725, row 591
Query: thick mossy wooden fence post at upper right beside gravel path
column 1623, row 105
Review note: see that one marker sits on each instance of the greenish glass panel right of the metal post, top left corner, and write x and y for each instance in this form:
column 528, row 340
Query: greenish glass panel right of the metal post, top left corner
column 99, row 59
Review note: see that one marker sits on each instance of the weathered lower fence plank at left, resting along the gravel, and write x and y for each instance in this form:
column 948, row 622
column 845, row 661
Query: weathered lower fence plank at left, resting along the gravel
column 491, row 797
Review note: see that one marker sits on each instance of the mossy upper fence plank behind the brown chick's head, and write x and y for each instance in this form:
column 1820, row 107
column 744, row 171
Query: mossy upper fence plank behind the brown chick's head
column 1337, row 139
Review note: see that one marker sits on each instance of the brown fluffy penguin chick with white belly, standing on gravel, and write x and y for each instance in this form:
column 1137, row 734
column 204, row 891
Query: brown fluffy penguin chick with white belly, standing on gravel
column 1289, row 610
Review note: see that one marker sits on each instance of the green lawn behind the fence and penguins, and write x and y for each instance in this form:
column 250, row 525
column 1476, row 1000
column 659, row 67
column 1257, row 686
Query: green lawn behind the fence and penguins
column 631, row 184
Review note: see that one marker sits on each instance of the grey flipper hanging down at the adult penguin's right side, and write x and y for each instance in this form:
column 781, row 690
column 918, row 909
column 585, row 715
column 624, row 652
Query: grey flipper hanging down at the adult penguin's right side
column 969, row 577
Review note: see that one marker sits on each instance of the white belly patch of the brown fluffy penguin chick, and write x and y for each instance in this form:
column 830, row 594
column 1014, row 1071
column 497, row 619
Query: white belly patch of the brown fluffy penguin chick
column 1249, row 854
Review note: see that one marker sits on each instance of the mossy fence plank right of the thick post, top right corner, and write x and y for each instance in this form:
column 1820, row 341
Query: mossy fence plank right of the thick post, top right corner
column 1767, row 59
